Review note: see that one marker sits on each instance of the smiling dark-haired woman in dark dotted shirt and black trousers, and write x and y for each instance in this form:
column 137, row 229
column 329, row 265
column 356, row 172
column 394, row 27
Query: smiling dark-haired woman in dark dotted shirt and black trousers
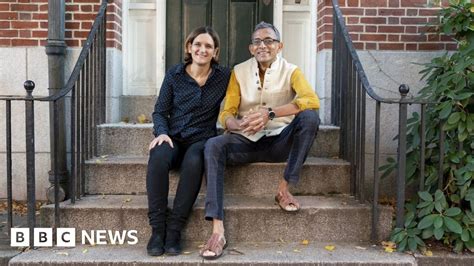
column 184, row 118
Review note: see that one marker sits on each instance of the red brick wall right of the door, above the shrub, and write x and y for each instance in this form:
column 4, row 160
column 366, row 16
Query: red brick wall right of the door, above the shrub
column 385, row 25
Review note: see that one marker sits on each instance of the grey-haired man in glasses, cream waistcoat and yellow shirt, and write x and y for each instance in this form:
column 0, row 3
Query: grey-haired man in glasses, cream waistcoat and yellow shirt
column 270, row 110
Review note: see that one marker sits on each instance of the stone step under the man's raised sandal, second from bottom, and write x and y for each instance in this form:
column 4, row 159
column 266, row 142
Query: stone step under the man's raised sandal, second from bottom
column 247, row 219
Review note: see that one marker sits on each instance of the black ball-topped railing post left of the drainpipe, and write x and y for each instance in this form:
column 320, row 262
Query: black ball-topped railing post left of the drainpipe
column 30, row 156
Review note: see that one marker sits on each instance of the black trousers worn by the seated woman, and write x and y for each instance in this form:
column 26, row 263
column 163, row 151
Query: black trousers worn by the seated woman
column 189, row 159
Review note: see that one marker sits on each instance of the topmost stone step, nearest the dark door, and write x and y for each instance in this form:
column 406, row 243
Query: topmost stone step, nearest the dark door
column 133, row 139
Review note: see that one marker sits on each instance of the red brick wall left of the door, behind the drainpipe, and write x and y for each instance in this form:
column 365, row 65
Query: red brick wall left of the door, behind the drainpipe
column 25, row 22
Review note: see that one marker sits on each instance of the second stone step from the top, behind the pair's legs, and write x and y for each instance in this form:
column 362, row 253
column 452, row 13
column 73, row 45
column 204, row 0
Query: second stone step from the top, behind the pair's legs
column 127, row 175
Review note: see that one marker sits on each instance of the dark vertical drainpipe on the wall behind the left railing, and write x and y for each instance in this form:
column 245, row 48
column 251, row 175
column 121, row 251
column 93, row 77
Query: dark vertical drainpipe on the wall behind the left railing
column 56, row 50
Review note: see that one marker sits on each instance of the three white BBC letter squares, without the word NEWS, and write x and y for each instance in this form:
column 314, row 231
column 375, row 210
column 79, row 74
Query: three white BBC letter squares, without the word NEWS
column 43, row 237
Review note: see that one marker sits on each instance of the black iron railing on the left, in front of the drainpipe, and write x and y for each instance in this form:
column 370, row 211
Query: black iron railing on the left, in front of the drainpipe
column 86, row 90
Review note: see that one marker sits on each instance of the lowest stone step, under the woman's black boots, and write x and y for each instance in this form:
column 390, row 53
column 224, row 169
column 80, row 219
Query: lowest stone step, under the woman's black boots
column 294, row 254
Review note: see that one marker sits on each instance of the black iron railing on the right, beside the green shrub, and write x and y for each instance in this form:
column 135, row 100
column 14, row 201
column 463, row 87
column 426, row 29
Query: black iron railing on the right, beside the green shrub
column 348, row 110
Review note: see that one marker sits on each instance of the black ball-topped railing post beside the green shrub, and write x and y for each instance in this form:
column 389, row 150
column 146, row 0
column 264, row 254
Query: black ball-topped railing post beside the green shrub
column 402, row 155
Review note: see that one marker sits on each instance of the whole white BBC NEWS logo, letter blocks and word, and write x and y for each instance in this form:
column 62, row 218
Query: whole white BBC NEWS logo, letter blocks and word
column 66, row 237
